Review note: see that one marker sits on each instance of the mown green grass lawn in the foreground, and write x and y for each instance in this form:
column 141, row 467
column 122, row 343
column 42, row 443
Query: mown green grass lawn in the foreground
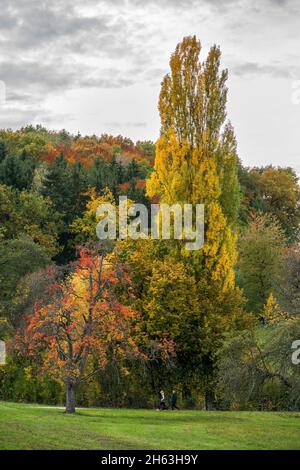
column 33, row 427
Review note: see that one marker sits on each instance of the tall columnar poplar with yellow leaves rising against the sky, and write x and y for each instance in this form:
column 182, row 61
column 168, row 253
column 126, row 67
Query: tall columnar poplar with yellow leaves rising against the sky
column 196, row 162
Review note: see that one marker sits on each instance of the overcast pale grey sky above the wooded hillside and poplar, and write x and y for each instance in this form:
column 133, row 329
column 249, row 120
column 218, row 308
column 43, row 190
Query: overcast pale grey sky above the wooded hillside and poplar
column 96, row 66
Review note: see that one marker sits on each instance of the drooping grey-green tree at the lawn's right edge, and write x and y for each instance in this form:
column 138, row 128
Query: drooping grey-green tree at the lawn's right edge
column 256, row 369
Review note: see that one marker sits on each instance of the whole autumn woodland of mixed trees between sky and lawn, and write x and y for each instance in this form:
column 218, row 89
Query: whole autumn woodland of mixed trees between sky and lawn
column 95, row 323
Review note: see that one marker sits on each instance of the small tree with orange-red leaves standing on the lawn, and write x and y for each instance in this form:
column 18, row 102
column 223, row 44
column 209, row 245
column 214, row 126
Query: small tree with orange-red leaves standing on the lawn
column 86, row 323
